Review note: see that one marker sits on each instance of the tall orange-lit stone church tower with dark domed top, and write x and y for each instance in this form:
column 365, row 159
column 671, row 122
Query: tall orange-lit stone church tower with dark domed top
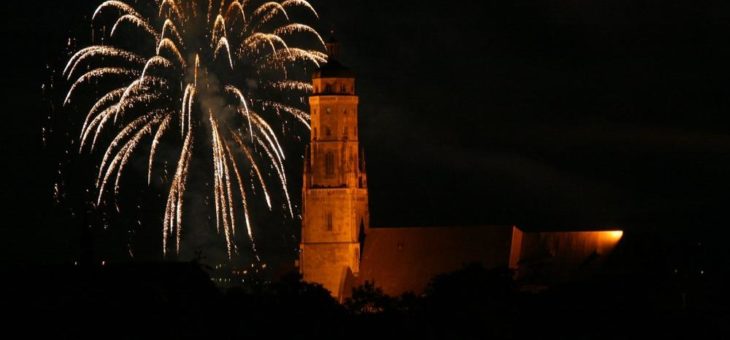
column 335, row 195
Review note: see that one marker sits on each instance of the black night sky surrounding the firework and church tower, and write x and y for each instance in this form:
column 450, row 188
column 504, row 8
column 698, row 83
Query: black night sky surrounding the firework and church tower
column 549, row 114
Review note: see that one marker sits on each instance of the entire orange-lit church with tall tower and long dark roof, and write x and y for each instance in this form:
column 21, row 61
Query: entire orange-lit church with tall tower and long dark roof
column 340, row 249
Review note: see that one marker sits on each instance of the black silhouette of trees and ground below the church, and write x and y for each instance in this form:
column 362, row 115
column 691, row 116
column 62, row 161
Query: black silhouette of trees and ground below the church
column 645, row 290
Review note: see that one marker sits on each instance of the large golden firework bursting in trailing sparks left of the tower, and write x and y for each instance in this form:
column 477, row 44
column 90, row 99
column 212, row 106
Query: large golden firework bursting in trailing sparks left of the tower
column 186, row 52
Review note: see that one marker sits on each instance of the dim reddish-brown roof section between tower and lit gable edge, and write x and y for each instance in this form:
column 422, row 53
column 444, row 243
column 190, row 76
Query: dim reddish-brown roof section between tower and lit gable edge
column 405, row 259
